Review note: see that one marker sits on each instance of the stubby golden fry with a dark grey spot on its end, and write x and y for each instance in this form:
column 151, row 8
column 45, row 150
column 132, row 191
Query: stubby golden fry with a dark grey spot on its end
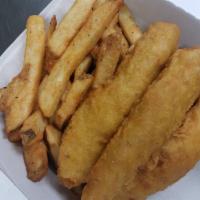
column 33, row 129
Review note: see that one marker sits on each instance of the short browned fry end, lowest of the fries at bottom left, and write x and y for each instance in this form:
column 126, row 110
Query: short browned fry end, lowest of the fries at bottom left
column 35, row 157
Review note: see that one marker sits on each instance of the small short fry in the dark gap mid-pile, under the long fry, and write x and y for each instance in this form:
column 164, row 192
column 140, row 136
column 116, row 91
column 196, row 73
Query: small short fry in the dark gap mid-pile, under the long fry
column 83, row 67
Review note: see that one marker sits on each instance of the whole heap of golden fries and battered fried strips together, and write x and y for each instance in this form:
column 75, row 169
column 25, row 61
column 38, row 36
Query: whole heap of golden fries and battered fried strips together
column 91, row 97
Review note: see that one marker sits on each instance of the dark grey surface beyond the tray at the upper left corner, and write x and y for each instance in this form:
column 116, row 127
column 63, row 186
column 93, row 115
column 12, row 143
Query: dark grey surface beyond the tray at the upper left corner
column 13, row 15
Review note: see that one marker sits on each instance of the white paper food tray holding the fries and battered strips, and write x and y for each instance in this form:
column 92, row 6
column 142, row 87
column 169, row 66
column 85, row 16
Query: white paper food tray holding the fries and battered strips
column 11, row 160
